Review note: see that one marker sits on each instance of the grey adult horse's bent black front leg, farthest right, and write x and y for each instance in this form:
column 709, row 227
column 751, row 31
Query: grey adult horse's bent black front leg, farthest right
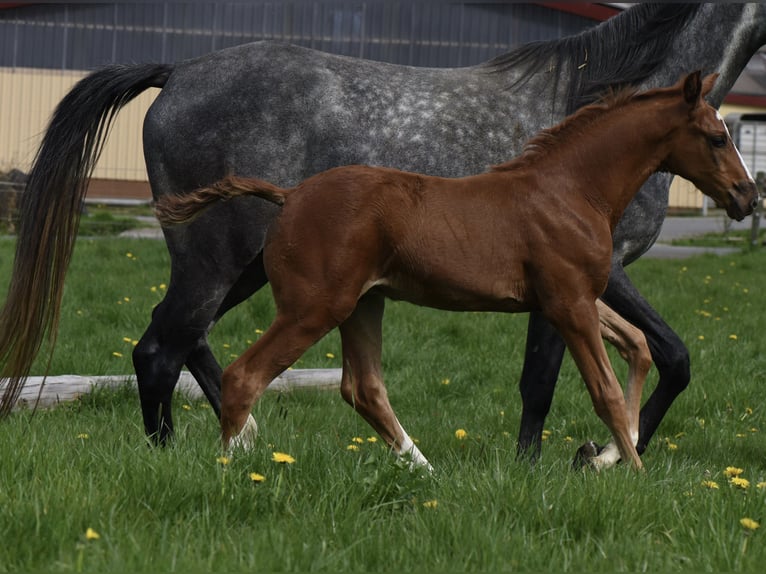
column 670, row 355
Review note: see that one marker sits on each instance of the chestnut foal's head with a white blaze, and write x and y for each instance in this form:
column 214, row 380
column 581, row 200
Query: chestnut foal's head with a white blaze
column 704, row 153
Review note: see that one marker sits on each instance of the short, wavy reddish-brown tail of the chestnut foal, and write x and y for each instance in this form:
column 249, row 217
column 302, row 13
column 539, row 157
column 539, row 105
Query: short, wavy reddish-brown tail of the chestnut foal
column 176, row 209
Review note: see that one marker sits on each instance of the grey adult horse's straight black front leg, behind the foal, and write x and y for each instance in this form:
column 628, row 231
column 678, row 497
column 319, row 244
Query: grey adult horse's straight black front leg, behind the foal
column 542, row 361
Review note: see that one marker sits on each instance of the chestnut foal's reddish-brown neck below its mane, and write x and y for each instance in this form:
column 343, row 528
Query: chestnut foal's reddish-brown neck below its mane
column 617, row 154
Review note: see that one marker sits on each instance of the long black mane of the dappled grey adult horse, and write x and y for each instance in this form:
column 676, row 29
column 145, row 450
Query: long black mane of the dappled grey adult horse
column 622, row 51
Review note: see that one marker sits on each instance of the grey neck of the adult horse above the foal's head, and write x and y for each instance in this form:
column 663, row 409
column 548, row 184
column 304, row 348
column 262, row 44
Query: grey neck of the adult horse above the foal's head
column 722, row 37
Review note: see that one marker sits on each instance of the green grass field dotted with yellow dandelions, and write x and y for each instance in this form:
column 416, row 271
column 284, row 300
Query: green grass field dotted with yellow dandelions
column 81, row 491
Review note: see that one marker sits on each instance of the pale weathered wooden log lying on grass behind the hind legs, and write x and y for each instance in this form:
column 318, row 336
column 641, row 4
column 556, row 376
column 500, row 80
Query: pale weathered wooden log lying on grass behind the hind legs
column 50, row 391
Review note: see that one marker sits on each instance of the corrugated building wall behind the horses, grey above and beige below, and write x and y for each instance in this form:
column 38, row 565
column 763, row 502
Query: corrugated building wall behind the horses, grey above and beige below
column 46, row 48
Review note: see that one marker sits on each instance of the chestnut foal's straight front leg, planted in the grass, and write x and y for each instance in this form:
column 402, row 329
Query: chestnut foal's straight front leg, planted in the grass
column 579, row 324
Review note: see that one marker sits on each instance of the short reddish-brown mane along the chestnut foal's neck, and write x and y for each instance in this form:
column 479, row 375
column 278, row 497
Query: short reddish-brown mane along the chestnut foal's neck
column 546, row 139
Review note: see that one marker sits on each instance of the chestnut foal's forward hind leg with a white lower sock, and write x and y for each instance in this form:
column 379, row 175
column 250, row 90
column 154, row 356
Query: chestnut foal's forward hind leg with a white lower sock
column 362, row 380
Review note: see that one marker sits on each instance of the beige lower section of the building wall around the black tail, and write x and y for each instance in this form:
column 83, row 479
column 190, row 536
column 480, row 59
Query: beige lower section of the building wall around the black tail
column 27, row 100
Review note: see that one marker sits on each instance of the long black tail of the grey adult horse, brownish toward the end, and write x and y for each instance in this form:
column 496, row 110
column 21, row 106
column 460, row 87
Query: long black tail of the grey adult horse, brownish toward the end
column 50, row 213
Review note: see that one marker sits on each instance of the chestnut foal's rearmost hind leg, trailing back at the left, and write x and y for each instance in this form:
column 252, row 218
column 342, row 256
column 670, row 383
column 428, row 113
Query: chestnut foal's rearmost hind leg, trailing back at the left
column 246, row 378
